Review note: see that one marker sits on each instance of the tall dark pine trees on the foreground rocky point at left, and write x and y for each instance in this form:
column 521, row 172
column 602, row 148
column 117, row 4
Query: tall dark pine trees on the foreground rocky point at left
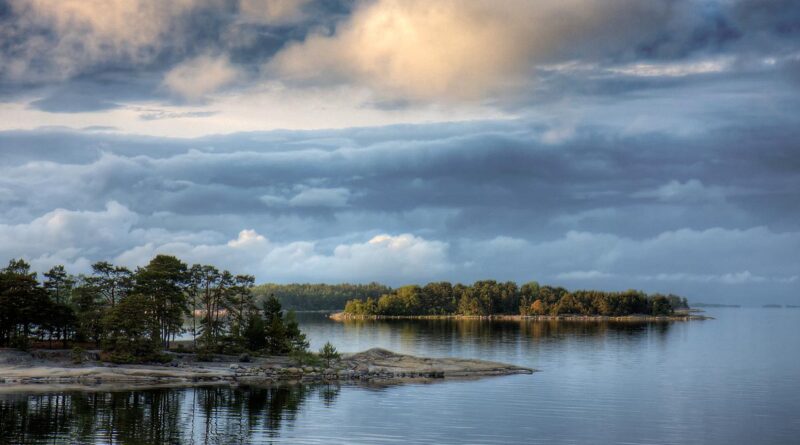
column 134, row 314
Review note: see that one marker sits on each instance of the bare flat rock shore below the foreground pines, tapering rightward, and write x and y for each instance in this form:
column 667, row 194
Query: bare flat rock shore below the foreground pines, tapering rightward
column 48, row 368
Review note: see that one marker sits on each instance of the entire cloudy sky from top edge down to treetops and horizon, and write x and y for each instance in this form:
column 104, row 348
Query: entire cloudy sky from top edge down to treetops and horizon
column 609, row 144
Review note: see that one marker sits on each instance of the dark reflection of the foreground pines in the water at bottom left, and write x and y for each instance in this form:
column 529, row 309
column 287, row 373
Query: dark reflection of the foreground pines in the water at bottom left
column 216, row 414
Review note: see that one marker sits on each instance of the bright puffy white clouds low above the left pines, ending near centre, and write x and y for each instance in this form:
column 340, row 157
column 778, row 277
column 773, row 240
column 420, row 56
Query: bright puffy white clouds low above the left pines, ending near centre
column 78, row 238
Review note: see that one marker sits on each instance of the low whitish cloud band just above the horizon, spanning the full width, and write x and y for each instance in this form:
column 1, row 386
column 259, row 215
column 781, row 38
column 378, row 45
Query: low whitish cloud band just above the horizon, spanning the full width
column 671, row 261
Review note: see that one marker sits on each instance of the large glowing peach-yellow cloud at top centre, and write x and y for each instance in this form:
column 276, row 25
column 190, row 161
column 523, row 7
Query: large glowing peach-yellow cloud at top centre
column 456, row 50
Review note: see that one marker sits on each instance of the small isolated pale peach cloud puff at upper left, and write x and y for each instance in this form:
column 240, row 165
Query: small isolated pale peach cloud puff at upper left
column 193, row 79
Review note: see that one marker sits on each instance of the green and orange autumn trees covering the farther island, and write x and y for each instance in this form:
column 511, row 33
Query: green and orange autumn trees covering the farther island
column 489, row 297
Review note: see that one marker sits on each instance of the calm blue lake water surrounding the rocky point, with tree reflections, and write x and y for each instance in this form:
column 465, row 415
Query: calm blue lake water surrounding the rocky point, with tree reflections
column 733, row 380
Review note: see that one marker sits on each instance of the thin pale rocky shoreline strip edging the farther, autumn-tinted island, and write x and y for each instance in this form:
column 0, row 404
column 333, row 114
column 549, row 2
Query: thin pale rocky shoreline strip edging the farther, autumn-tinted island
column 341, row 316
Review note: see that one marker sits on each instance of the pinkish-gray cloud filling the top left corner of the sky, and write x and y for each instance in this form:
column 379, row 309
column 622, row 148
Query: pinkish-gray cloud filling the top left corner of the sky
column 60, row 39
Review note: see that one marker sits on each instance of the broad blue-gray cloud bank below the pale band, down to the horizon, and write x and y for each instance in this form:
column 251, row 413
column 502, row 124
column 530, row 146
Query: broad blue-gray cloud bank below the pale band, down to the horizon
column 713, row 215
